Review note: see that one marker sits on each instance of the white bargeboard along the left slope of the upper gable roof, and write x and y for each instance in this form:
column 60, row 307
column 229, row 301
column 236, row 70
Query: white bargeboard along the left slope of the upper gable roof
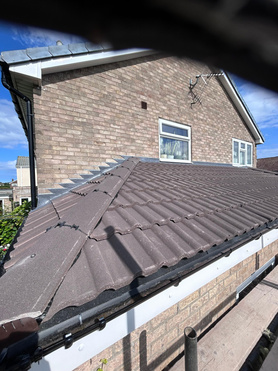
column 34, row 70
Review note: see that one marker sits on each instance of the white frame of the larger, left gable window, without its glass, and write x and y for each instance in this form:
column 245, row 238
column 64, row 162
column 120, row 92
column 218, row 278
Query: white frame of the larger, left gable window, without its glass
column 163, row 134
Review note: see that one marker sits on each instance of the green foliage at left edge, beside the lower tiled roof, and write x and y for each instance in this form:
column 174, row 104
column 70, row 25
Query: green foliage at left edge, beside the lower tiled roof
column 9, row 224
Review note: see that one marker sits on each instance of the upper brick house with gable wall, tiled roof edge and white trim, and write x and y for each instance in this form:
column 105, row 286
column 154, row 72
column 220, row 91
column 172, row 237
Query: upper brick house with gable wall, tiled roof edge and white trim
column 81, row 93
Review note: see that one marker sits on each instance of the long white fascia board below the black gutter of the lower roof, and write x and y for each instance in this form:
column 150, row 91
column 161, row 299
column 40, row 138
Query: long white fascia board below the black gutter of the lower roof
column 89, row 346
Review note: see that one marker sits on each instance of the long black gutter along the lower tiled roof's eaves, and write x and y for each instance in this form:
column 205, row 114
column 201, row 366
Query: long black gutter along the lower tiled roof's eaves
column 94, row 317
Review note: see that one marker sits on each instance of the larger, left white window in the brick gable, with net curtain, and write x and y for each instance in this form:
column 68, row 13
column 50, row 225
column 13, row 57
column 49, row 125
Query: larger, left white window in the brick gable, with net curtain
column 174, row 141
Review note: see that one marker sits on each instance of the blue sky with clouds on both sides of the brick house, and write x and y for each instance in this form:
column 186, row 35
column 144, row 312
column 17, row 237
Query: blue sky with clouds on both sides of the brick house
column 262, row 104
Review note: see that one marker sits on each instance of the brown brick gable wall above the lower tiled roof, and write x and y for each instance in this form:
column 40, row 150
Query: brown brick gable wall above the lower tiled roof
column 85, row 117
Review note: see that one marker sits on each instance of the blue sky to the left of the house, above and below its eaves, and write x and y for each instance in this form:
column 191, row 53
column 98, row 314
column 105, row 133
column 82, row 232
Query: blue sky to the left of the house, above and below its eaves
column 13, row 142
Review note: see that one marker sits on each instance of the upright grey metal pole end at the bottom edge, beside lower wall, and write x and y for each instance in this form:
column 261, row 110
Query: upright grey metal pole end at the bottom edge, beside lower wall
column 190, row 349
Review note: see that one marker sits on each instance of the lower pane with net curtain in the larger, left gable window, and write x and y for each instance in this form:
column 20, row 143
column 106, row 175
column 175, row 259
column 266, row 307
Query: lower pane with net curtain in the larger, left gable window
column 174, row 149
